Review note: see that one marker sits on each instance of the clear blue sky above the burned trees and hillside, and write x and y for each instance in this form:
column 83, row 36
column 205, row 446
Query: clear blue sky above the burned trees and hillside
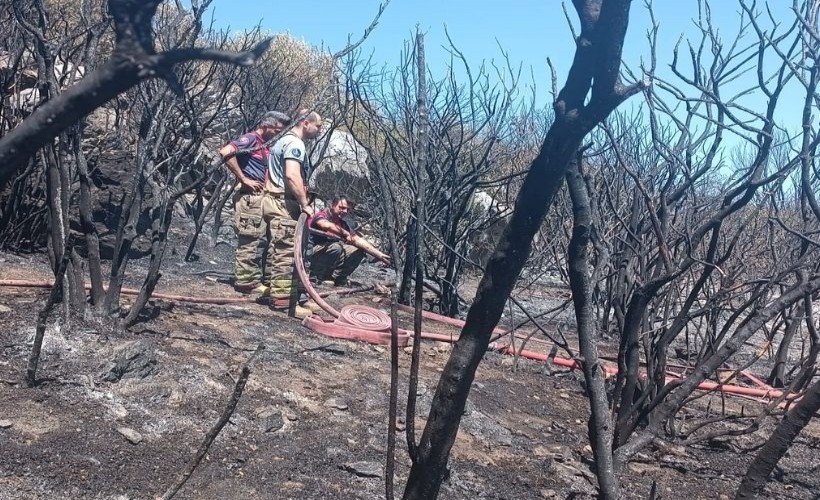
column 530, row 31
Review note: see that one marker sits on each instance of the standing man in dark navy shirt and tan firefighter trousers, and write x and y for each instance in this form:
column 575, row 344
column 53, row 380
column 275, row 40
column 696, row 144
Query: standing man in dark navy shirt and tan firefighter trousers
column 247, row 158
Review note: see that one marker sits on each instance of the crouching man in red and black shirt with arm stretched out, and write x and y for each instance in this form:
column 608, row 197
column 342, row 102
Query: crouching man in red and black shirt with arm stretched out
column 337, row 250
